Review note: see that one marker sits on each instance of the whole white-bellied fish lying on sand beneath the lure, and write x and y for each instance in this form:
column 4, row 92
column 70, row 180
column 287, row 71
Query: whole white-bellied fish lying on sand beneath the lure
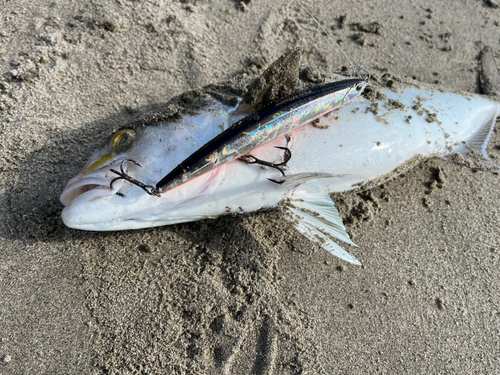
column 355, row 146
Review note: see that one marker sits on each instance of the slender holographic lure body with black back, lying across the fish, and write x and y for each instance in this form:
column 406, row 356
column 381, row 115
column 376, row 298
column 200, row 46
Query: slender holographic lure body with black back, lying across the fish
column 261, row 127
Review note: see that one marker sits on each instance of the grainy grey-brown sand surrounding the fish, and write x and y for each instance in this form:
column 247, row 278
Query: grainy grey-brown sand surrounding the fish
column 238, row 294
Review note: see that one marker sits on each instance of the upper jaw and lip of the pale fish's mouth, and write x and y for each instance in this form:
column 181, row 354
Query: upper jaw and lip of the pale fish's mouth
column 94, row 186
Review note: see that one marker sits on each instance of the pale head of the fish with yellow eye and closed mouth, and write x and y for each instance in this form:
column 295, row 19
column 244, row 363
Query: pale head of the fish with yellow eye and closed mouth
column 98, row 198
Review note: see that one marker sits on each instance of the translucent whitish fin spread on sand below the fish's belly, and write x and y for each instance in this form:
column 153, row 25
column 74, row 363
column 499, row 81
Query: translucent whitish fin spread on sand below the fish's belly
column 317, row 218
